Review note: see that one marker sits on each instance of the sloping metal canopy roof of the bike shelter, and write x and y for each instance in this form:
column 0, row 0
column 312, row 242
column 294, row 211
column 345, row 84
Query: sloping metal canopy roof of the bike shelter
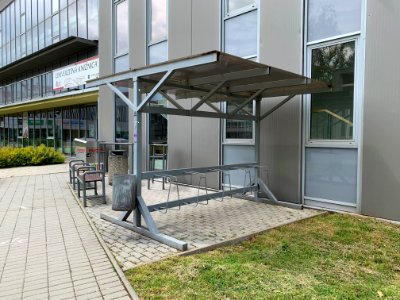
column 212, row 77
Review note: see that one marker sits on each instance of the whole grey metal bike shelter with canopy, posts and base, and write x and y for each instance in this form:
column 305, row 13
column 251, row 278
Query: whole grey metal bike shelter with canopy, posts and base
column 211, row 77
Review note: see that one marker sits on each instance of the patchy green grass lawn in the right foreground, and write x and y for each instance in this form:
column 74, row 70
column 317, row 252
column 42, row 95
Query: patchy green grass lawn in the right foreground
column 331, row 256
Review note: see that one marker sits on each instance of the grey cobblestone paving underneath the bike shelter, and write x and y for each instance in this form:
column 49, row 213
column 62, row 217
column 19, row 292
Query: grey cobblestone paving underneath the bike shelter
column 200, row 226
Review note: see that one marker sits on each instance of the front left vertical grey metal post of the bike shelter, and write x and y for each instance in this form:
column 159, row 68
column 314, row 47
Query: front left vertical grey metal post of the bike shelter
column 137, row 147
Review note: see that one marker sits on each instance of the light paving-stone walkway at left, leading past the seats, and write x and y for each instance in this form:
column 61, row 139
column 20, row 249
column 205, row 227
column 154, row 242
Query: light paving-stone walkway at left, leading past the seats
column 48, row 250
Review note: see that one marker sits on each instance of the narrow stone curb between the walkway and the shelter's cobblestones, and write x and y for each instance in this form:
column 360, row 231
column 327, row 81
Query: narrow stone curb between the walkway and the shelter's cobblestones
column 111, row 257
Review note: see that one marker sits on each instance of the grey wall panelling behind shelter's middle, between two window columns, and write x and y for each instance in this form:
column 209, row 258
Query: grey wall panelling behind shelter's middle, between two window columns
column 193, row 141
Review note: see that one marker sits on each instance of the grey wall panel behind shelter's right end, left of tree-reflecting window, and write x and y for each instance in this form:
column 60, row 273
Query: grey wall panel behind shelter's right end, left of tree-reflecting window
column 281, row 46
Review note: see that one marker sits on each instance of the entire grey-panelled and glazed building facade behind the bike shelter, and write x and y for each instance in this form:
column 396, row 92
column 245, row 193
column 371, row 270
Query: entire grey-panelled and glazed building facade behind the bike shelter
column 334, row 150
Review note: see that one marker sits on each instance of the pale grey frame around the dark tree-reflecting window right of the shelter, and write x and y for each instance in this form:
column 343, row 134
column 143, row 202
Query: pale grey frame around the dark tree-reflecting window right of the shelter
column 353, row 143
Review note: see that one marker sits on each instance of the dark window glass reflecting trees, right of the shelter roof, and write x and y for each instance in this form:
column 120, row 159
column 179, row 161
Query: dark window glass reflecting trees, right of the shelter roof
column 332, row 113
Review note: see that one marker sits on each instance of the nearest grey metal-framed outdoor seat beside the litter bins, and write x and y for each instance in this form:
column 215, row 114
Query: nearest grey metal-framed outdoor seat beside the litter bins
column 87, row 178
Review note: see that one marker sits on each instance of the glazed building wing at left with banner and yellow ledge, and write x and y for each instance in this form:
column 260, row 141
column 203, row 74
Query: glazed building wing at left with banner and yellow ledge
column 42, row 42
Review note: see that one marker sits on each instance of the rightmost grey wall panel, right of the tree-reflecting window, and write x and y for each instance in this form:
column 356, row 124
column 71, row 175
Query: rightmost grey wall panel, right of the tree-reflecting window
column 381, row 162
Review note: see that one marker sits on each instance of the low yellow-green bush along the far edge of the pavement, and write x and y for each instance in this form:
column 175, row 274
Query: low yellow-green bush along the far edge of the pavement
column 29, row 156
